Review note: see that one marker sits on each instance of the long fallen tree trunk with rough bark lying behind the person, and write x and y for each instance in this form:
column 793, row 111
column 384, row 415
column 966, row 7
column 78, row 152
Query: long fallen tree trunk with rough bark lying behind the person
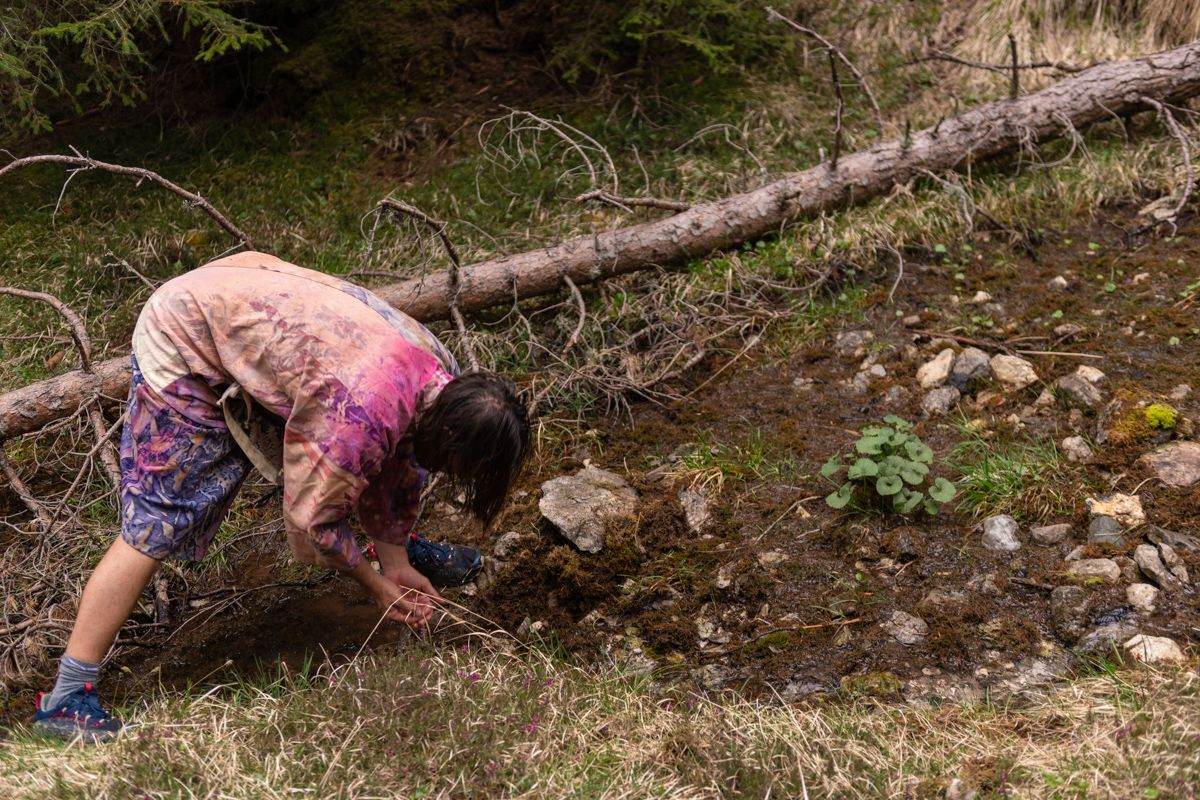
column 1105, row 92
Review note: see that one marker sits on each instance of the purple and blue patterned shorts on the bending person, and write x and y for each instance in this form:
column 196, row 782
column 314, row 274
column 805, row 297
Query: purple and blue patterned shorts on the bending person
column 179, row 473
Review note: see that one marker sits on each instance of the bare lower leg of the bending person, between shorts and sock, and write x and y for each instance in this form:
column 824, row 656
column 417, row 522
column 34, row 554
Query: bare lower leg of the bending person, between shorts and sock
column 109, row 600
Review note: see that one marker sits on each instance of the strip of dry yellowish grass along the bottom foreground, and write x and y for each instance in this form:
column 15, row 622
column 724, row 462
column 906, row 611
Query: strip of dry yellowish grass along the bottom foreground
column 489, row 720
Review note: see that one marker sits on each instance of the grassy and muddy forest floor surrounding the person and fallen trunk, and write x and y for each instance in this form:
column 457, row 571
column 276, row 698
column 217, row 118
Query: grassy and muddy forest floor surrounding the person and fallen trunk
column 778, row 647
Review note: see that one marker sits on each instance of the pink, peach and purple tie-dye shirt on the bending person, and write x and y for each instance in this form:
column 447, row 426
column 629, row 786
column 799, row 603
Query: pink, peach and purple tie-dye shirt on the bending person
column 345, row 370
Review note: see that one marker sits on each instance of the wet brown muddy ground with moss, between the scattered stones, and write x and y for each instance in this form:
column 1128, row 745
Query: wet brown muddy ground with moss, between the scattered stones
column 790, row 593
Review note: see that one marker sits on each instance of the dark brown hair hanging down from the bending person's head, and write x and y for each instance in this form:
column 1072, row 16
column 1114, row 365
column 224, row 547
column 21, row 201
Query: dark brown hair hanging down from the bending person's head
column 477, row 432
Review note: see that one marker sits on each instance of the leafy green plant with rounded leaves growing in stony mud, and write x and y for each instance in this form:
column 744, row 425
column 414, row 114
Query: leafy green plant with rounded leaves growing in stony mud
column 889, row 465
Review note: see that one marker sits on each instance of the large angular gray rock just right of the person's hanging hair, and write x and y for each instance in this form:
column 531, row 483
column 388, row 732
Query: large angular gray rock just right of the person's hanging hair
column 584, row 506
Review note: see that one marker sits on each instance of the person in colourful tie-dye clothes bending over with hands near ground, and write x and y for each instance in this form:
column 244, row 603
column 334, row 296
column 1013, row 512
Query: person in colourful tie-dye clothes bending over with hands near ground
column 368, row 401
